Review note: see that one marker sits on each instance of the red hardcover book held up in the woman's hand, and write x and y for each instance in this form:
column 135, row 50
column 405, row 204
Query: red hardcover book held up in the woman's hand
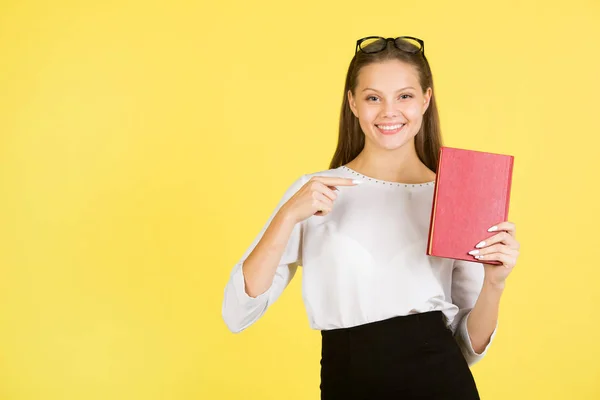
column 472, row 194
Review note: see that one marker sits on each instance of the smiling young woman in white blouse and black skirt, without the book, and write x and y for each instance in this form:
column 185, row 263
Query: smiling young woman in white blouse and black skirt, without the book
column 395, row 323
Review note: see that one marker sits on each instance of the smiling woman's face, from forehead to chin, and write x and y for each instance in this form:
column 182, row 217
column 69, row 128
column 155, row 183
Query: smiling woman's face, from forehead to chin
column 389, row 103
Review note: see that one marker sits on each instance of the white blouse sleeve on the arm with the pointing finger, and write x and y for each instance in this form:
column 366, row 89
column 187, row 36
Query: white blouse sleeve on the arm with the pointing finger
column 240, row 310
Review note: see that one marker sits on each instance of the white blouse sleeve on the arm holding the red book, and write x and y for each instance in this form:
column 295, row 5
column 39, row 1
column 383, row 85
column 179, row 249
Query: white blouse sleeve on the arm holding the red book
column 467, row 280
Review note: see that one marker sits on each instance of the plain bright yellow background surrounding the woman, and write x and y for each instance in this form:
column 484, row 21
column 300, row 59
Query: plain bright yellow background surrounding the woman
column 144, row 143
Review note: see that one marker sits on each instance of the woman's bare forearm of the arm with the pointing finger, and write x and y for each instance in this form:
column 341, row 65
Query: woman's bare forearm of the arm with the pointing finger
column 261, row 264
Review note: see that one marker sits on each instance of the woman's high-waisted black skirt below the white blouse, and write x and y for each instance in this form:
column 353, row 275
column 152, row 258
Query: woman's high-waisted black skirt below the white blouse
column 408, row 357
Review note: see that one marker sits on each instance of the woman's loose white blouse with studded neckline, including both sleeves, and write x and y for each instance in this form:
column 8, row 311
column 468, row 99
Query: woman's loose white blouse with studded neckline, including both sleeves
column 364, row 262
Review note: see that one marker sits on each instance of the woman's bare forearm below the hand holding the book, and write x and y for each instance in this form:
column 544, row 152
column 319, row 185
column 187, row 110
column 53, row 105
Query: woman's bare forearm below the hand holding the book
column 484, row 316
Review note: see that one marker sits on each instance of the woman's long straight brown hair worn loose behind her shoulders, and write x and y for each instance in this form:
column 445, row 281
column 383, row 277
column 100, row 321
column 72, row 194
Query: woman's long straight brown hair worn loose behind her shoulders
column 351, row 139
